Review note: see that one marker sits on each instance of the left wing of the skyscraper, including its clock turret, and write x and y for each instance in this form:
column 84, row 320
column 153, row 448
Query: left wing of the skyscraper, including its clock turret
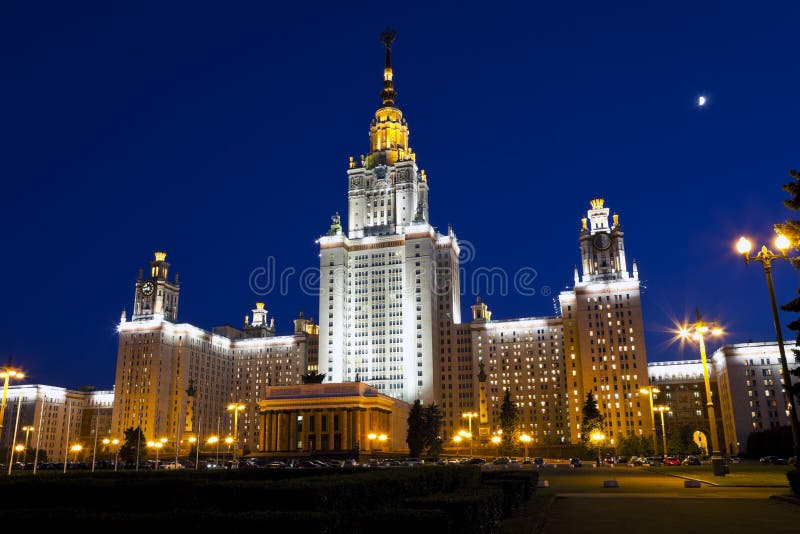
column 158, row 358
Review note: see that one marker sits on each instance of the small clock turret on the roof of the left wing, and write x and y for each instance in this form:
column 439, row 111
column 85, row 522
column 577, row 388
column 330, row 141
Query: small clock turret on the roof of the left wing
column 156, row 295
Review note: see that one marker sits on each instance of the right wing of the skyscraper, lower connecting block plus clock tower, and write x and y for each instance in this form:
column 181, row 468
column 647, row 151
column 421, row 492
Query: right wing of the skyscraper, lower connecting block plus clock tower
column 549, row 364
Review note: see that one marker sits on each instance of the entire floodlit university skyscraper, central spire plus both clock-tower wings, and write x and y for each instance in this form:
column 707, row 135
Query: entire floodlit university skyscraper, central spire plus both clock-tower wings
column 389, row 316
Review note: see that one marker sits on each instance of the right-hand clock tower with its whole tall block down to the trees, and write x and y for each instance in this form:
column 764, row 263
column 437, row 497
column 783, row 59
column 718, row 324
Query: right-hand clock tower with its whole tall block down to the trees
column 603, row 322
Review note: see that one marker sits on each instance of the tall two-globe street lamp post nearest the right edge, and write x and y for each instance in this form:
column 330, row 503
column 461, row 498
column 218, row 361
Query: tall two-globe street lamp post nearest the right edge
column 765, row 256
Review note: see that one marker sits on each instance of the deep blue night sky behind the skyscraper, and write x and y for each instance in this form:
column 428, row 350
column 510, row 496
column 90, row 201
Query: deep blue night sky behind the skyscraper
column 221, row 135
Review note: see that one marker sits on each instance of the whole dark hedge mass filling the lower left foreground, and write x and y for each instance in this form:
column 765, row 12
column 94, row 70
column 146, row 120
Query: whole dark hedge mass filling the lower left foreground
column 442, row 499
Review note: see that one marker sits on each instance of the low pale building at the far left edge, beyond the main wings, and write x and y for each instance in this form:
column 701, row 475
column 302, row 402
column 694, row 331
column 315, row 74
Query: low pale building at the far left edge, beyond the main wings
column 60, row 418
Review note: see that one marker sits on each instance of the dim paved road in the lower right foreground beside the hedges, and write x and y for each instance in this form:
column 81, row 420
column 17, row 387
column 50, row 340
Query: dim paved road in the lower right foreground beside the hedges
column 651, row 503
